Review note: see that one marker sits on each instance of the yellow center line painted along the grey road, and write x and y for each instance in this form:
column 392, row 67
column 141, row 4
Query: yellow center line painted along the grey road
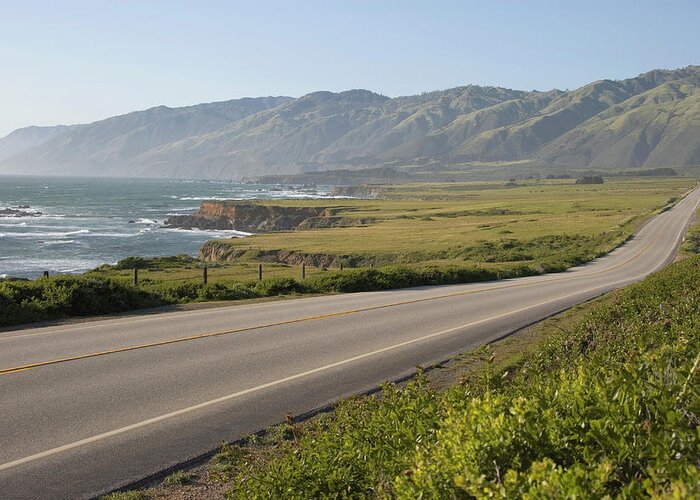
column 17, row 369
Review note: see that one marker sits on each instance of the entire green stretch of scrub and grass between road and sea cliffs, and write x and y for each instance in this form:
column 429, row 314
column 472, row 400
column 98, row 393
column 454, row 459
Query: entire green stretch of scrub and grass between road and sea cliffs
column 449, row 233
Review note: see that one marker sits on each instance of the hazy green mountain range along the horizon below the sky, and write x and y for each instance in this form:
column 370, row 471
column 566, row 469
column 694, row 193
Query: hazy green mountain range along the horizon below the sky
column 648, row 121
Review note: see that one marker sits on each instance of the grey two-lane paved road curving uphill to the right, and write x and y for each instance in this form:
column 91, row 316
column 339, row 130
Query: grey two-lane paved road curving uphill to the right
column 86, row 408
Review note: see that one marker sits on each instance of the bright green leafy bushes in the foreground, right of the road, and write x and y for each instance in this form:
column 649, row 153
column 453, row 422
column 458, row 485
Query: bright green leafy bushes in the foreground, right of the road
column 611, row 408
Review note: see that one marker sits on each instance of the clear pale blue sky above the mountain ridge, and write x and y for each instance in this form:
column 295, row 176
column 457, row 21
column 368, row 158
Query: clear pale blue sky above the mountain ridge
column 79, row 61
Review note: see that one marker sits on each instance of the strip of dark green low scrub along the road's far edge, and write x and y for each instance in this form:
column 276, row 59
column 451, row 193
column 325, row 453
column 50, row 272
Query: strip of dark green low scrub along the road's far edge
column 93, row 294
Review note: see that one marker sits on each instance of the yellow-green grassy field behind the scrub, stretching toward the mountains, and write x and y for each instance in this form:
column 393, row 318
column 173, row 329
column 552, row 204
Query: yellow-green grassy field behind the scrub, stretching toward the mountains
column 478, row 223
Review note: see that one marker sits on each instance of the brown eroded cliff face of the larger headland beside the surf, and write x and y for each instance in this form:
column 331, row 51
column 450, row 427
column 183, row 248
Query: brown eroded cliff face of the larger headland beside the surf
column 258, row 218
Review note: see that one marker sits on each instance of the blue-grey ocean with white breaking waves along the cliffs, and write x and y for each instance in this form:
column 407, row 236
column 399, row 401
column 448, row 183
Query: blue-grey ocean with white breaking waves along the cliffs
column 77, row 224
